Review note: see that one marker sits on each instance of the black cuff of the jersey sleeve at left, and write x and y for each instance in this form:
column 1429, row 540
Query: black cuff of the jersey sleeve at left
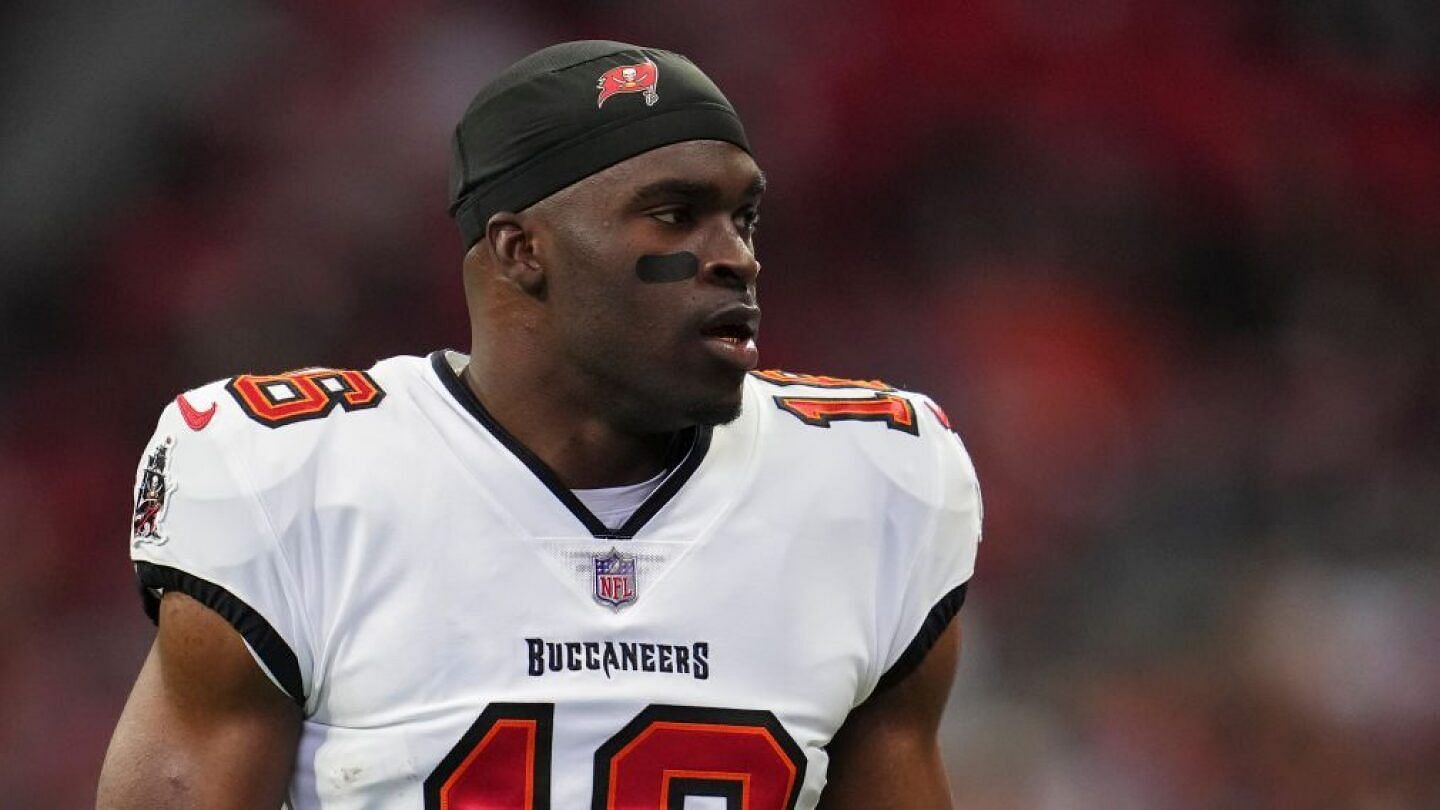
column 258, row 633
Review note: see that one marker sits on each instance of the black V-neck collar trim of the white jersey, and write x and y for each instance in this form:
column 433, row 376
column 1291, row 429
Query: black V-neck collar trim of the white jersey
column 686, row 456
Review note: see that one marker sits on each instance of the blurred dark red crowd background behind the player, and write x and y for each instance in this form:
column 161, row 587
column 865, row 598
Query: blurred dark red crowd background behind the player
column 1173, row 267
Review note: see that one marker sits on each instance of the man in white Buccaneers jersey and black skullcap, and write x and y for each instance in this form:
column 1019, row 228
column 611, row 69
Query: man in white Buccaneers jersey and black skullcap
column 595, row 563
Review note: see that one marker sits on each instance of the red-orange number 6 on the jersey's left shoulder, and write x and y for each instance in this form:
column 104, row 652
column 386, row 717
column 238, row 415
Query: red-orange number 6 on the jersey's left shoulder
column 307, row 394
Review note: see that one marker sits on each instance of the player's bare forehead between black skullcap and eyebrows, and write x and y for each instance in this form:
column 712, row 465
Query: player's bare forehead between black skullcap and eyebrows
column 716, row 166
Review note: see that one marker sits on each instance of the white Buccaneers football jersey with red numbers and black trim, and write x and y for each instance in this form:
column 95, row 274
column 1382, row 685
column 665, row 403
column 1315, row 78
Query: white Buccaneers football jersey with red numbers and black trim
column 463, row 633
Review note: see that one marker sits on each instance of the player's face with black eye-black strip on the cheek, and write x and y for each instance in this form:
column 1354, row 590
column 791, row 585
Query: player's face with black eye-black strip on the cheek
column 652, row 283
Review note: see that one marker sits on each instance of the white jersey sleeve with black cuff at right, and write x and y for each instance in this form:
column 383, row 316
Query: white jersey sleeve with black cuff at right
column 944, row 561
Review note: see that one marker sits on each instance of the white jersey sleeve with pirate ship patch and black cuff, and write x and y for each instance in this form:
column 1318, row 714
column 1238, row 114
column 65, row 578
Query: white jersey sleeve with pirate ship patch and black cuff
column 201, row 530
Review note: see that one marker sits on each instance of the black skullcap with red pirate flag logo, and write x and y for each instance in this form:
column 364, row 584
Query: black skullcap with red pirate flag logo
column 570, row 112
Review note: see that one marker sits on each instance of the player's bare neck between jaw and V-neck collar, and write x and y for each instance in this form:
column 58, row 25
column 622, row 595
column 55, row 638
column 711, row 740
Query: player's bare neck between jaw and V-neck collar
column 584, row 449
